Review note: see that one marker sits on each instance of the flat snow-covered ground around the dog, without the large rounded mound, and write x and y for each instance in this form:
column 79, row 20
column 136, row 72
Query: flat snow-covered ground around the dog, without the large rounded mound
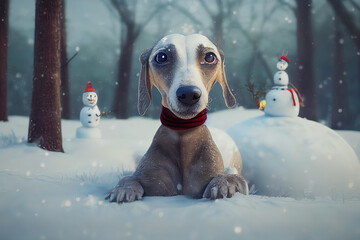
column 47, row 195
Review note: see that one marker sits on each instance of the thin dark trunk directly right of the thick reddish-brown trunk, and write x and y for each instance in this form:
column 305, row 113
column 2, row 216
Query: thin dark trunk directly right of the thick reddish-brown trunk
column 65, row 83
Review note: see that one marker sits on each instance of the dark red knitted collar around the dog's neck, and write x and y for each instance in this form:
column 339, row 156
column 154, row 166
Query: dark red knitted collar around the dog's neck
column 170, row 120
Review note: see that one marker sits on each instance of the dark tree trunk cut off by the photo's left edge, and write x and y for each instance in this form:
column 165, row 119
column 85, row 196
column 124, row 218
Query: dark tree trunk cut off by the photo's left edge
column 4, row 31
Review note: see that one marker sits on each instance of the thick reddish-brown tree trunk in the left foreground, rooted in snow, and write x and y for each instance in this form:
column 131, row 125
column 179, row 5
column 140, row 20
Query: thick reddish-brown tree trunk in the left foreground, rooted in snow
column 45, row 116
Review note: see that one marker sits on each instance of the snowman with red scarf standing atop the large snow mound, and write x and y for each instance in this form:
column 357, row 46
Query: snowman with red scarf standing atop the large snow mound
column 282, row 101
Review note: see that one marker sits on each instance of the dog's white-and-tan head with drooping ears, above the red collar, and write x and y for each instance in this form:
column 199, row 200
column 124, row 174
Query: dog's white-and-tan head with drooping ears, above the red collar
column 183, row 69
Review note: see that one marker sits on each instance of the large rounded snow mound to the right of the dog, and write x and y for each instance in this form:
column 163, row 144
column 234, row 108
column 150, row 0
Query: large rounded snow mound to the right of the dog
column 295, row 157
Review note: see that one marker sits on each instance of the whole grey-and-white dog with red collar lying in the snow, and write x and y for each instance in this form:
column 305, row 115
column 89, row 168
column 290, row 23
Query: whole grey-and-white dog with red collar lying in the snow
column 183, row 158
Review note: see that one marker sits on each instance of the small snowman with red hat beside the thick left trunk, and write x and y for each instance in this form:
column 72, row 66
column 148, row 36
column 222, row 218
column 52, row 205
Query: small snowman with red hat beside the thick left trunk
column 89, row 115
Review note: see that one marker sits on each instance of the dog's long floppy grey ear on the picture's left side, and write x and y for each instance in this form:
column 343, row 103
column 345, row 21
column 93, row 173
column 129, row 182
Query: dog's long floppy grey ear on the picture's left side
column 145, row 83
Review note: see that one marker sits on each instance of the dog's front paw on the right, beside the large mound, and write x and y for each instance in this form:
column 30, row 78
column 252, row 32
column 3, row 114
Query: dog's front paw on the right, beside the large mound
column 225, row 186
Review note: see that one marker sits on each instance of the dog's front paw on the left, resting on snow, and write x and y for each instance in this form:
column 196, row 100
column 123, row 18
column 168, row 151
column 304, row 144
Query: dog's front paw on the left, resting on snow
column 127, row 190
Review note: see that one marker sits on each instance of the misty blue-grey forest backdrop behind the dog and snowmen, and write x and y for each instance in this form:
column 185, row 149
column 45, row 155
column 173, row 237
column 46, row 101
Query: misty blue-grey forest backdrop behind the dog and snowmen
column 252, row 33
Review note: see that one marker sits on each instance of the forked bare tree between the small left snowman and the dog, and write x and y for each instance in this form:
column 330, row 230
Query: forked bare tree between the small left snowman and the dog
column 130, row 31
